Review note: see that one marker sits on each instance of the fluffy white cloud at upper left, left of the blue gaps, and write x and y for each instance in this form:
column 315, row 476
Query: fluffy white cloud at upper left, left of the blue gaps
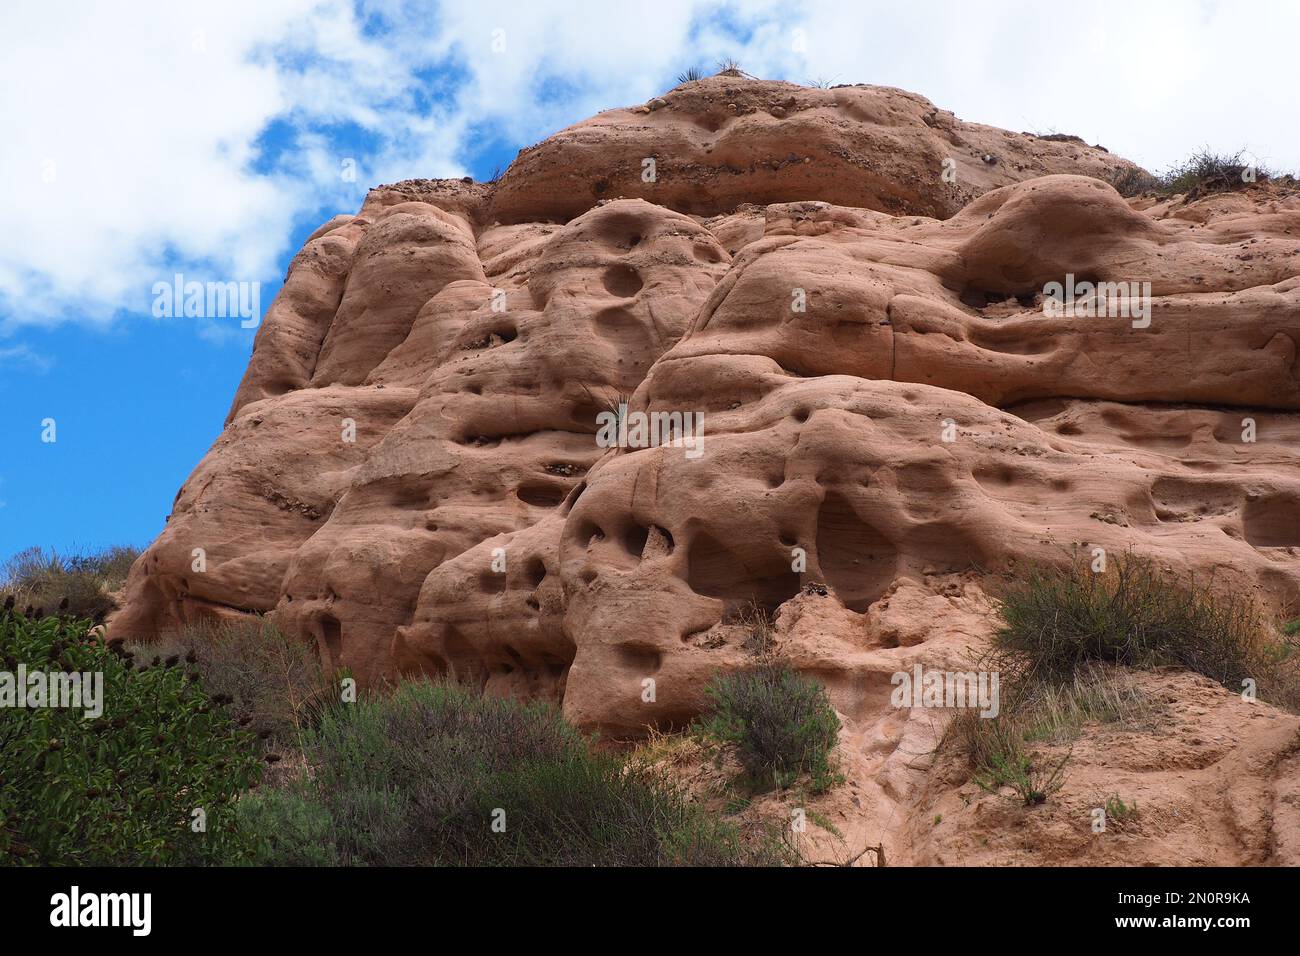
column 131, row 131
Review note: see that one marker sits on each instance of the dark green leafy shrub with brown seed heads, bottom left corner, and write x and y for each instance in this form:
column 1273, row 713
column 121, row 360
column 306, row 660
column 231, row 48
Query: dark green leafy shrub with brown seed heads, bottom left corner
column 119, row 789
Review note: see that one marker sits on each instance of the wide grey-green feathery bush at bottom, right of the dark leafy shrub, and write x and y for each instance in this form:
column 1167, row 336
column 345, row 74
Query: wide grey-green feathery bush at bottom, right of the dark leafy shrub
column 422, row 777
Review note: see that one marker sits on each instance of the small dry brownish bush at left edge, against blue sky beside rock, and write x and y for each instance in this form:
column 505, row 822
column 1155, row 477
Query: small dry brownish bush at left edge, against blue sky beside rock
column 77, row 586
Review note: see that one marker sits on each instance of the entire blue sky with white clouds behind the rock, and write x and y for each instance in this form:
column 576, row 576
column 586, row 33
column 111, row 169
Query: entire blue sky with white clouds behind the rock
column 148, row 139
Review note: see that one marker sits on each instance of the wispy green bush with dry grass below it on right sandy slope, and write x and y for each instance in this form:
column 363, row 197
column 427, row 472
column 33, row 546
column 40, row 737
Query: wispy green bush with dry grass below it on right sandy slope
column 1069, row 634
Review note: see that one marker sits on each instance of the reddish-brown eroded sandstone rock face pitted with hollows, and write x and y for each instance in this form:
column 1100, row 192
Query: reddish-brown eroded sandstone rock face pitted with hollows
column 411, row 477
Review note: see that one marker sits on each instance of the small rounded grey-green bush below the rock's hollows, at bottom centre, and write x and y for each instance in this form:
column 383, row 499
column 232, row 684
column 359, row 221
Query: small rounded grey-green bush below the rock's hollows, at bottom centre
column 781, row 724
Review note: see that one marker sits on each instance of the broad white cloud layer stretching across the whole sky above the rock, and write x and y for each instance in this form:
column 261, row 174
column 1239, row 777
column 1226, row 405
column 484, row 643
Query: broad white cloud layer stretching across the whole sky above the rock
column 131, row 128
